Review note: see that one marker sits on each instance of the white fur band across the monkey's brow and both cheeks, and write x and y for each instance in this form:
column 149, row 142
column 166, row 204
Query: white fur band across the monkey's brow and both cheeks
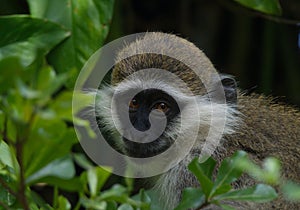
column 208, row 117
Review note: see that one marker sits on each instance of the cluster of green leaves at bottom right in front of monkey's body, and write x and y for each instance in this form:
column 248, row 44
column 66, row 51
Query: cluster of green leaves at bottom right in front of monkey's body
column 215, row 190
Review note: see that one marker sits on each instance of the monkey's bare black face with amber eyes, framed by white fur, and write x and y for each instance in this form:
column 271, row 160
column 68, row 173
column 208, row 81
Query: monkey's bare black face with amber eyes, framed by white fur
column 139, row 109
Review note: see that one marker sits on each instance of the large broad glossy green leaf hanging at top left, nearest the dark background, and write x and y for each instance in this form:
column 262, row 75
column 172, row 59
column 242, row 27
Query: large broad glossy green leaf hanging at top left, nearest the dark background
column 86, row 38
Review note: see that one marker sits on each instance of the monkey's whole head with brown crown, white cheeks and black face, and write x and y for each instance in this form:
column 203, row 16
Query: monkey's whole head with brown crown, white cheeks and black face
column 166, row 94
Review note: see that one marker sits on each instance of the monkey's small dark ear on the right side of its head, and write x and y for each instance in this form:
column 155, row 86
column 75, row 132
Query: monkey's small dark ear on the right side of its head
column 230, row 88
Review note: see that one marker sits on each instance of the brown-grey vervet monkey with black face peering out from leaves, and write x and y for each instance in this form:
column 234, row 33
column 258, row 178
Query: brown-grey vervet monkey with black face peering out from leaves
column 252, row 123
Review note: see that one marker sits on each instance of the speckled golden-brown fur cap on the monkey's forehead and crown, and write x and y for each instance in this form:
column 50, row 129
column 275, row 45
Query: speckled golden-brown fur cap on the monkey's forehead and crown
column 167, row 52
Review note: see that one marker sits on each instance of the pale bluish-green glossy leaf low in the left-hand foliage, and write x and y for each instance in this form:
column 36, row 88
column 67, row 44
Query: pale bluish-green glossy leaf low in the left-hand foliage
column 62, row 168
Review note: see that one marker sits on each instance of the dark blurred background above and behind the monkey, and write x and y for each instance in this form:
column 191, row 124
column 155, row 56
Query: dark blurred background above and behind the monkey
column 261, row 51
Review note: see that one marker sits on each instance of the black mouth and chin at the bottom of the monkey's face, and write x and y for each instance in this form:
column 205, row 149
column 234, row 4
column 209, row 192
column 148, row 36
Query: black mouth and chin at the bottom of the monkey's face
column 146, row 150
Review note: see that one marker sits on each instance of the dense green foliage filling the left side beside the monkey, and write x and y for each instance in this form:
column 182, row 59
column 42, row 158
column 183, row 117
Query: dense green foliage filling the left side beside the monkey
column 40, row 57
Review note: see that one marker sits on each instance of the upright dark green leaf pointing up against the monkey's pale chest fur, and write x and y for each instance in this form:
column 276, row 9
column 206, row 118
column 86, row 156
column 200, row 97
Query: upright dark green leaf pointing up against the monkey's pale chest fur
column 198, row 171
